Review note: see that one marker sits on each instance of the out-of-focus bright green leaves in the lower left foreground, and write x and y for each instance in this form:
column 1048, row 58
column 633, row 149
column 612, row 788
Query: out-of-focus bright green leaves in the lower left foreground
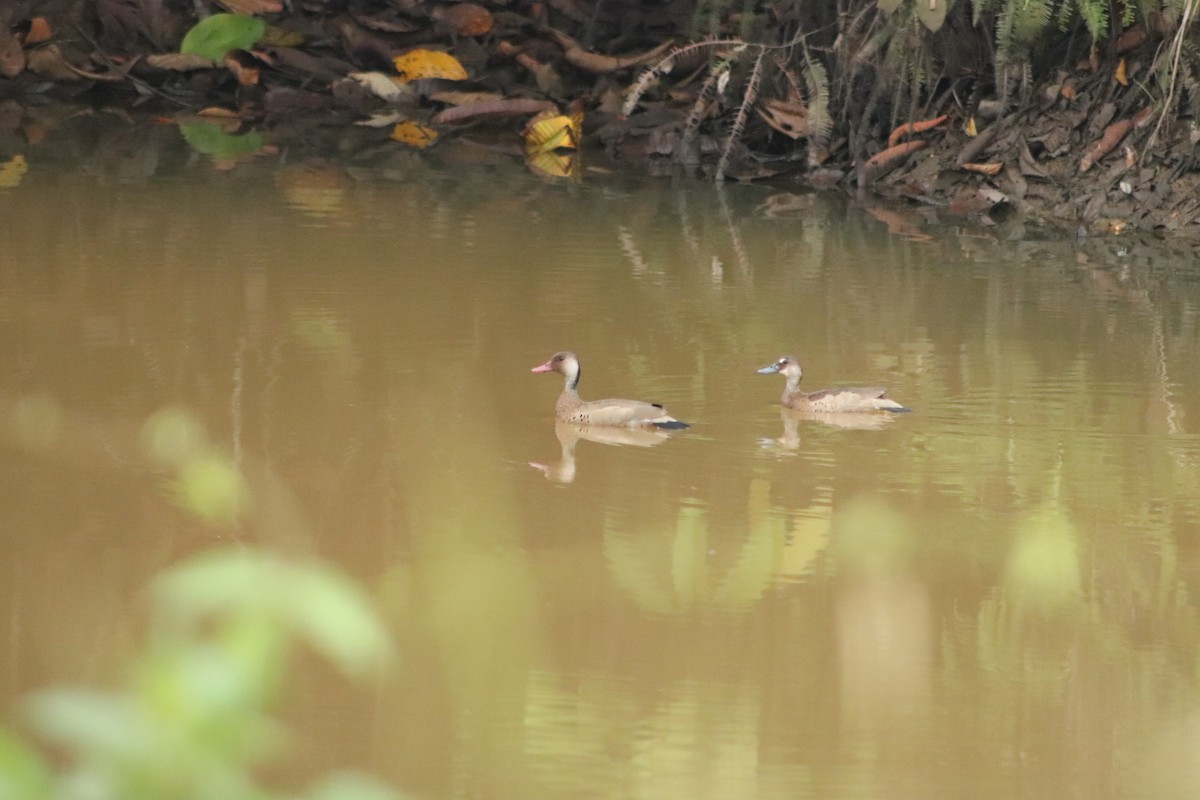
column 194, row 717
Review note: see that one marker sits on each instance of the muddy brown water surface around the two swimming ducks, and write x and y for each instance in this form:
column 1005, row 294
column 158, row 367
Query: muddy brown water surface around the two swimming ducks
column 993, row 597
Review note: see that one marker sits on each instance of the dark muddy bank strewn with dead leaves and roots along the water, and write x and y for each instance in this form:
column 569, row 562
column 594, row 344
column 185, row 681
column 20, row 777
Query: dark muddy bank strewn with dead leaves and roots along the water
column 945, row 109
